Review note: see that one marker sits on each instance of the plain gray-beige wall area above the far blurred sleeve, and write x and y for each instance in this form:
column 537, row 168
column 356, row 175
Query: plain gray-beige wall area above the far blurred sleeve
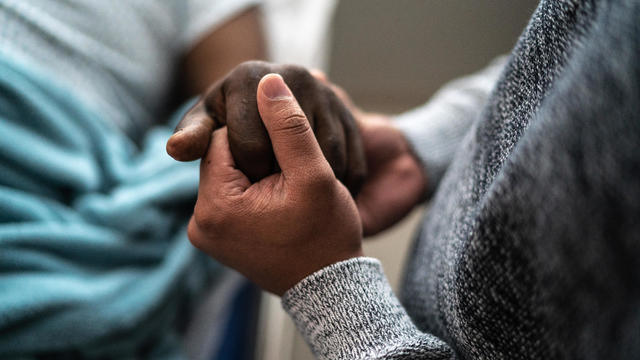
column 393, row 54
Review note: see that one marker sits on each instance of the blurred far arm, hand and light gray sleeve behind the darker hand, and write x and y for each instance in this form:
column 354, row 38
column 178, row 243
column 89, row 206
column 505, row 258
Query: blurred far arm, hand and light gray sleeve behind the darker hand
column 409, row 155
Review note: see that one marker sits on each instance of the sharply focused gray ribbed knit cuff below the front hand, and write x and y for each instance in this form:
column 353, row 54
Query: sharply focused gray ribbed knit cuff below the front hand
column 348, row 311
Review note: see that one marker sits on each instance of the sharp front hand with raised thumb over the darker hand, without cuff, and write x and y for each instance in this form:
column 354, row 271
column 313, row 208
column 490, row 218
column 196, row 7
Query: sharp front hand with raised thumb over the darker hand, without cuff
column 286, row 226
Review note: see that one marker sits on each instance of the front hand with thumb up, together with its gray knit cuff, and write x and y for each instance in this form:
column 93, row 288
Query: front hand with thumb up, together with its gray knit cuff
column 289, row 225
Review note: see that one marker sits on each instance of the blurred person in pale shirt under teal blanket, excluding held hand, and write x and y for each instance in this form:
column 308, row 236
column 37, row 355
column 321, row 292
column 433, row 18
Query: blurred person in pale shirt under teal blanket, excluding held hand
column 94, row 261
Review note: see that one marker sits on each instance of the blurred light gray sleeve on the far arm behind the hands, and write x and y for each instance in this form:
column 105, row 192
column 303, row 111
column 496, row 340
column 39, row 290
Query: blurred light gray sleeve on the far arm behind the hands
column 436, row 129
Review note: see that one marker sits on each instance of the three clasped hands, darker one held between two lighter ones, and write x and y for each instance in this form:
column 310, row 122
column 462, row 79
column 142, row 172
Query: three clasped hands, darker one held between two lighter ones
column 271, row 200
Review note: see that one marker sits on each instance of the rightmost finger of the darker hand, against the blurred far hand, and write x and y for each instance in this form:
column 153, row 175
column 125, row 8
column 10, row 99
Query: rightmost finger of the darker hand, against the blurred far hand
column 356, row 162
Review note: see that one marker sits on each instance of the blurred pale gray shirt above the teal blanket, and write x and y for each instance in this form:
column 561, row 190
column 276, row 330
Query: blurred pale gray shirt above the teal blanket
column 119, row 57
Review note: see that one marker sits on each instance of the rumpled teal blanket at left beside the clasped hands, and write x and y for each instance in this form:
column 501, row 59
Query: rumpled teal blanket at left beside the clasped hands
column 94, row 260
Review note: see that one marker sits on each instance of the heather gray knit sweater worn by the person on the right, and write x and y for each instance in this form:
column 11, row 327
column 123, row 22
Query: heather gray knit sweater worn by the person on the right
column 531, row 249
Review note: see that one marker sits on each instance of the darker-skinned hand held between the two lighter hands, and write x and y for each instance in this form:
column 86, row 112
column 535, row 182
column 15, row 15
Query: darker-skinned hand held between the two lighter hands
column 232, row 102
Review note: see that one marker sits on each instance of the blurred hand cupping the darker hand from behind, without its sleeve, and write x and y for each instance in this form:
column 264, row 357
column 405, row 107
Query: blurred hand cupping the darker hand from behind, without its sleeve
column 396, row 182
